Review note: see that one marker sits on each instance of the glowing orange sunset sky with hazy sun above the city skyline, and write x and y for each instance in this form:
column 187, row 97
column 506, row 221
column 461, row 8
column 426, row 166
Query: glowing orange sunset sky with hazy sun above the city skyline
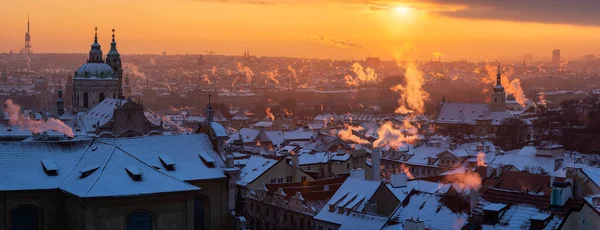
column 341, row 29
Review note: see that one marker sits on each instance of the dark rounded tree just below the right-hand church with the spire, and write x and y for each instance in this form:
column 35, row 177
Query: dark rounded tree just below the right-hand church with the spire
column 511, row 133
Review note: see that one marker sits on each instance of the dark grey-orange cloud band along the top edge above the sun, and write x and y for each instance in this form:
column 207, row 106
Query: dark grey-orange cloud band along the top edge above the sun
column 574, row 12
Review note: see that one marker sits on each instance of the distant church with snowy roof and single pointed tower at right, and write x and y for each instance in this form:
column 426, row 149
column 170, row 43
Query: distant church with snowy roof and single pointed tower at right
column 479, row 119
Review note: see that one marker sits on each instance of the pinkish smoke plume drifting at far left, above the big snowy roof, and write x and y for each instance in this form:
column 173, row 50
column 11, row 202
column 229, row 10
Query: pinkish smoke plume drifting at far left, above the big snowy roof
column 35, row 126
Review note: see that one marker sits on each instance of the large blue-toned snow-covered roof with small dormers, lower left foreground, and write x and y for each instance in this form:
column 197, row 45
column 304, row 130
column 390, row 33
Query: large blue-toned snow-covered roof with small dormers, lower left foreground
column 100, row 167
